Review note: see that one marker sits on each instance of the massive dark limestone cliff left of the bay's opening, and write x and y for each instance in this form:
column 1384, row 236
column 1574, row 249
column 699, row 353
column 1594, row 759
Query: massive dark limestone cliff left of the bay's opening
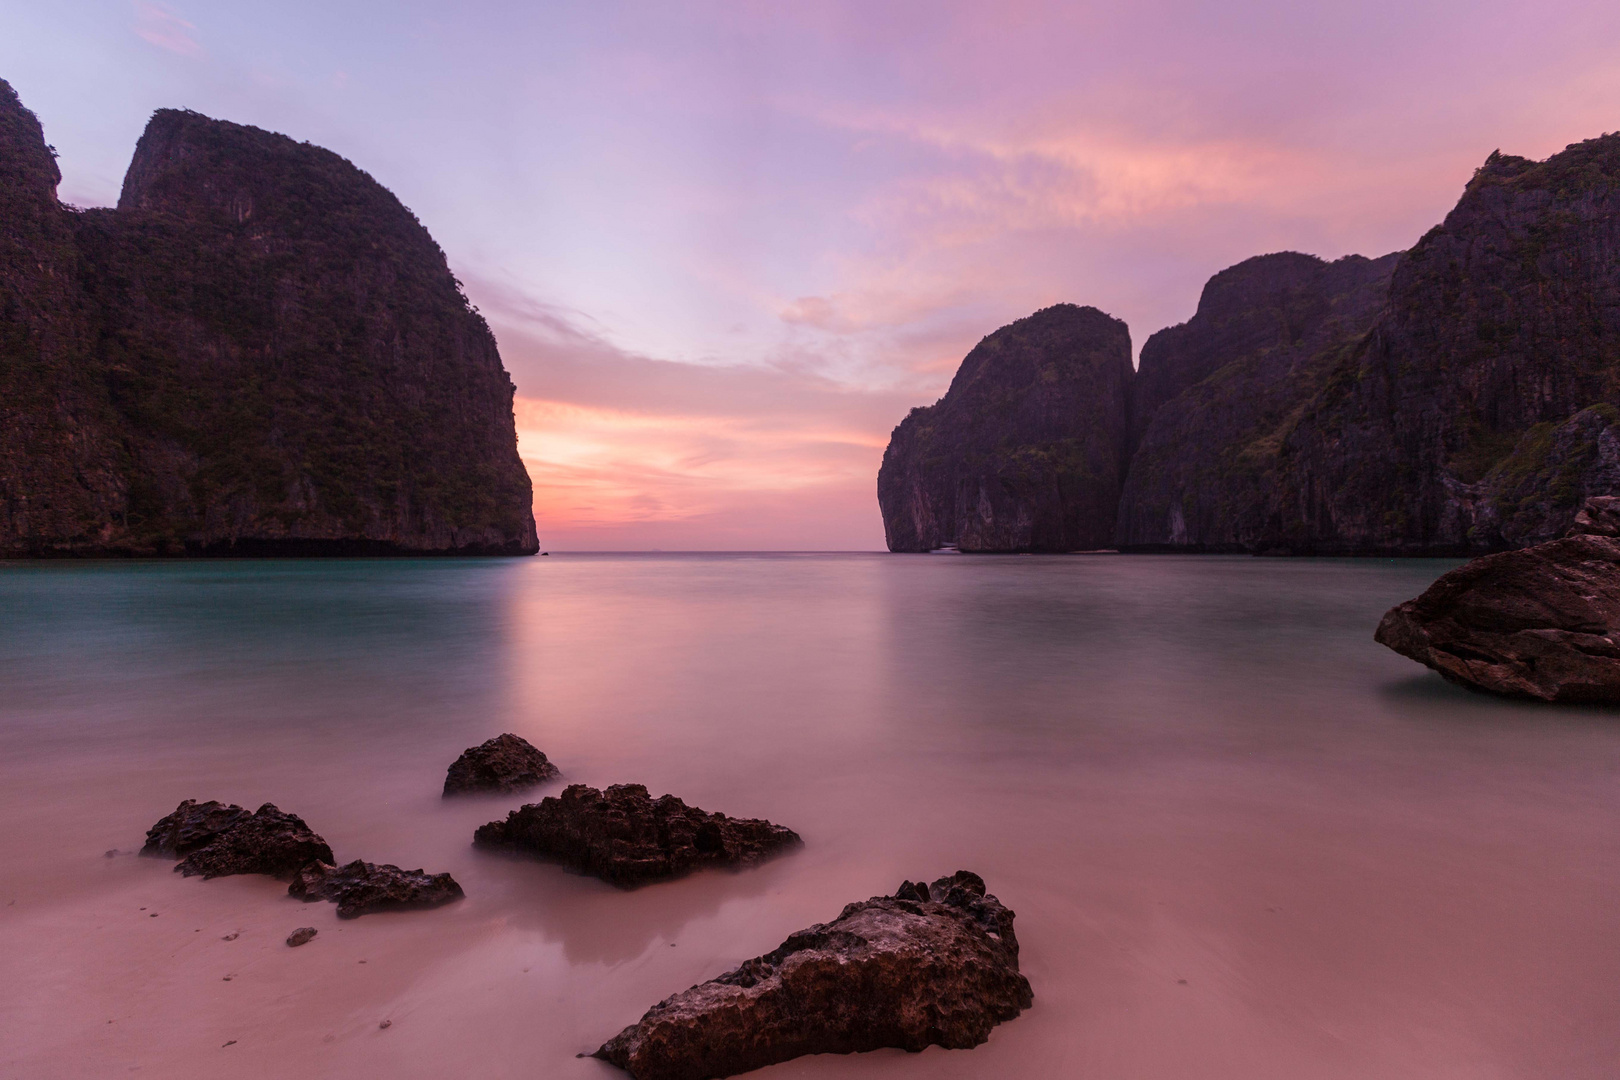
column 260, row 352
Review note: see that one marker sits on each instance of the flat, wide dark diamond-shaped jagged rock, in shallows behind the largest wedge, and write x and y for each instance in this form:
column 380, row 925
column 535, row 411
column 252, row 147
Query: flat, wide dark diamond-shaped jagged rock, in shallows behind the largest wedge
column 626, row 838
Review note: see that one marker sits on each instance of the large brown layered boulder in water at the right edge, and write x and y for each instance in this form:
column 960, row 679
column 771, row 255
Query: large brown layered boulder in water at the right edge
column 1541, row 623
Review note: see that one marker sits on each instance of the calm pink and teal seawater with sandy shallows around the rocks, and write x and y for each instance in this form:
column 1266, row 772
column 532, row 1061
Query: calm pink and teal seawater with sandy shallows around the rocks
column 1242, row 840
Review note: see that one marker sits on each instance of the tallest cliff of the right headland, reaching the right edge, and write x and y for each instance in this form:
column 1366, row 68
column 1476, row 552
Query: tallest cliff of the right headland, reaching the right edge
column 1480, row 410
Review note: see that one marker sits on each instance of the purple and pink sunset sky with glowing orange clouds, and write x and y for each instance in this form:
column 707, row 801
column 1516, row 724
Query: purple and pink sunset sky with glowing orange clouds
column 727, row 247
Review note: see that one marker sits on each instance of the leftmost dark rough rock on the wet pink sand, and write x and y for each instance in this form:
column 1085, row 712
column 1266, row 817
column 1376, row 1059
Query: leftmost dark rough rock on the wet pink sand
column 221, row 840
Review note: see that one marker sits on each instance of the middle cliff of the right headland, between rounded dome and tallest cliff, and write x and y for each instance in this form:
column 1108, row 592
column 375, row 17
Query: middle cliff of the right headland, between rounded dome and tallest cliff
column 1217, row 394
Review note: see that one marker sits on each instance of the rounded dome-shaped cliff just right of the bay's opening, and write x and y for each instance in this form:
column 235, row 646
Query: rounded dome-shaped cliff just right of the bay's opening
column 1028, row 448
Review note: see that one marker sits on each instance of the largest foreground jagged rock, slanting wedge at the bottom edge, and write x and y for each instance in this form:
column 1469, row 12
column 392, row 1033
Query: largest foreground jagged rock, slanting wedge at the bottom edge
column 929, row 966
